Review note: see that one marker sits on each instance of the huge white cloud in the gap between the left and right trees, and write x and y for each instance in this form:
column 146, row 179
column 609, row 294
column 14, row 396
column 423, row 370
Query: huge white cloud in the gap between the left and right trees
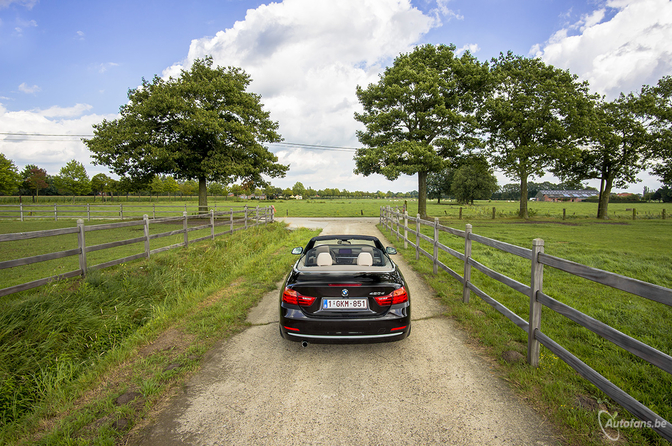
column 306, row 58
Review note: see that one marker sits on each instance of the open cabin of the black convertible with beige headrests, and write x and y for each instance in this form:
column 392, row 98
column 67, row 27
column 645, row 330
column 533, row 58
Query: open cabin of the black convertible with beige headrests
column 360, row 254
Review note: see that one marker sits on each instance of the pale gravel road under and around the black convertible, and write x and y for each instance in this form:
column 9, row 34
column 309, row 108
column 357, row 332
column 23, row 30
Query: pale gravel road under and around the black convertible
column 431, row 388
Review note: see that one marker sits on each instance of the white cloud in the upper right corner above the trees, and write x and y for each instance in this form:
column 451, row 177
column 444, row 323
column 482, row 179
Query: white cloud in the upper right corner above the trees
column 617, row 48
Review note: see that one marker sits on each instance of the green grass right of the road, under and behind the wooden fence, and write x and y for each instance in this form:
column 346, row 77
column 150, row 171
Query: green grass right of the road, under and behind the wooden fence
column 636, row 249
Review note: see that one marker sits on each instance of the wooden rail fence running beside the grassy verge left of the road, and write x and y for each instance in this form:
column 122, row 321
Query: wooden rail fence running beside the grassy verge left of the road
column 237, row 220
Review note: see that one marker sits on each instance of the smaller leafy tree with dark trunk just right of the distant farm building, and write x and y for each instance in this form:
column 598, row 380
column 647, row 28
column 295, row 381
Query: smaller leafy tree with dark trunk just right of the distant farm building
column 617, row 150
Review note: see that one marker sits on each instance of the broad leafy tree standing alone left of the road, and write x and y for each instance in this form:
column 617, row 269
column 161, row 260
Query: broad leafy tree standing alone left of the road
column 201, row 126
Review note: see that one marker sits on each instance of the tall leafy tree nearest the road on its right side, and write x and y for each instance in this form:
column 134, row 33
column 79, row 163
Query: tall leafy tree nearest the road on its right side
column 419, row 114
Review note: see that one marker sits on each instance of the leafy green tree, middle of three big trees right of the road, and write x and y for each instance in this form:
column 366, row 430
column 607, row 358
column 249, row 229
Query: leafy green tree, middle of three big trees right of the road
column 535, row 116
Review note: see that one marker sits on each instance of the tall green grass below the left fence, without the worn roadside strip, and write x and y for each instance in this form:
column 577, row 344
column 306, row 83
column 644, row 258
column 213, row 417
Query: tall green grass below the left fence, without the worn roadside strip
column 52, row 337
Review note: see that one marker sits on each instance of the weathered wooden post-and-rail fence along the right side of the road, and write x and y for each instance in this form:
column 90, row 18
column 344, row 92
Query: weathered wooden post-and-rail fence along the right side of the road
column 397, row 223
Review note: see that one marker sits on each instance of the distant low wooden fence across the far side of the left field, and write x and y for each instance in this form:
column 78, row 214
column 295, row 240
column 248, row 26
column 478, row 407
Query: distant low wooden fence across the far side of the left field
column 90, row 211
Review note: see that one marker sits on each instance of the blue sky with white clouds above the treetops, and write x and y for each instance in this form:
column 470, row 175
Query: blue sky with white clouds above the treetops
column 66, row 65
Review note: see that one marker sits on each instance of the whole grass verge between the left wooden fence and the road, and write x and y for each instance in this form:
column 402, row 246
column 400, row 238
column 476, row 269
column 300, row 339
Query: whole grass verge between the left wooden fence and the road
column 81, row 361
